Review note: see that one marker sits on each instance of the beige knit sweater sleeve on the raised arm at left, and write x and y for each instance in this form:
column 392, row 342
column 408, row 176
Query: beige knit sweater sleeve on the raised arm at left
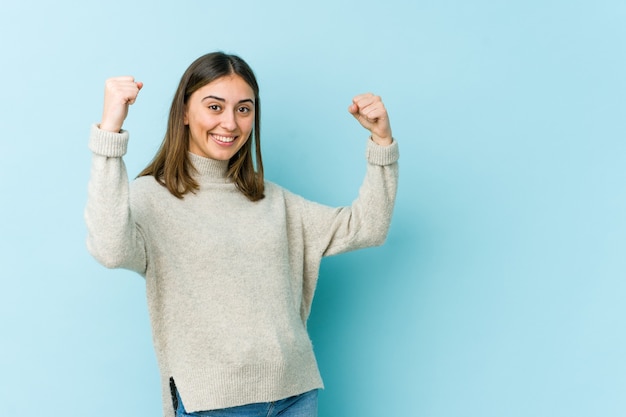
column 113, row 238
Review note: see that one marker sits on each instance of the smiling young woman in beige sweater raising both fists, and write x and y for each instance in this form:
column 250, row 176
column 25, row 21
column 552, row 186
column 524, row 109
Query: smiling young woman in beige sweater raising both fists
column 230, row 260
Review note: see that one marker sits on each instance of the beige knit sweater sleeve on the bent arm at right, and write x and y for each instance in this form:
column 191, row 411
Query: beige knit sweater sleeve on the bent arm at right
column 365, row 223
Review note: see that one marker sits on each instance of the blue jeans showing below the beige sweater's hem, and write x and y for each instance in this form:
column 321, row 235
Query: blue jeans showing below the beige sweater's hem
column 303, row 405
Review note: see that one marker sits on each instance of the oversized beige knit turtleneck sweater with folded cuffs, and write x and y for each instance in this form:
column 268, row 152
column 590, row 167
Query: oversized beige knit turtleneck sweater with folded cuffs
column 229, row 282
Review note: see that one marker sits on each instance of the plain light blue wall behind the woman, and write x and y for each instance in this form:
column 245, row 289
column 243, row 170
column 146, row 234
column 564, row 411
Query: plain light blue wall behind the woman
column 501, row 289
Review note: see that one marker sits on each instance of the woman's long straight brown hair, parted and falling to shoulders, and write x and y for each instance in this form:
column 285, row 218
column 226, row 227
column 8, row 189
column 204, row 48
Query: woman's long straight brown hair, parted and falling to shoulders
column 171, row 166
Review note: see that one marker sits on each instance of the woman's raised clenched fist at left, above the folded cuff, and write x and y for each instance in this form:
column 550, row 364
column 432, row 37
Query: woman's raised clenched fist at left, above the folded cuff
column 119, row 93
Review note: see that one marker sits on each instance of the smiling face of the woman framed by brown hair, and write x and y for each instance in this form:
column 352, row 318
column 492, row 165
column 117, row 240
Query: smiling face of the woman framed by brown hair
column 220, row 117
